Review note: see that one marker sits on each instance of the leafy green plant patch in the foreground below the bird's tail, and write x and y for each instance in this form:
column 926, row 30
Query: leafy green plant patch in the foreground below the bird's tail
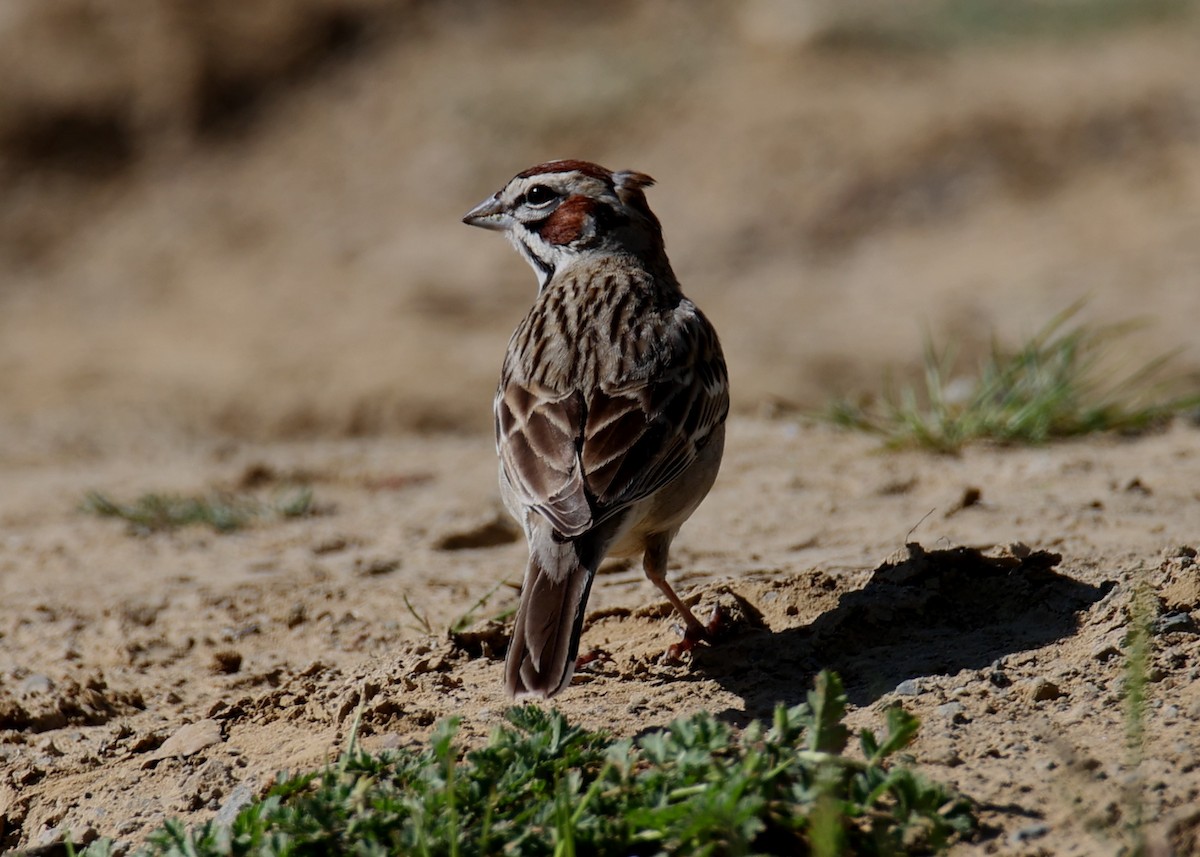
column 543, row 787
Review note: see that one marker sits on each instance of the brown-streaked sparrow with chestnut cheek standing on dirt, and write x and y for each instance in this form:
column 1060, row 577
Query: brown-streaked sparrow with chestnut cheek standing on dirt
column 611, row 407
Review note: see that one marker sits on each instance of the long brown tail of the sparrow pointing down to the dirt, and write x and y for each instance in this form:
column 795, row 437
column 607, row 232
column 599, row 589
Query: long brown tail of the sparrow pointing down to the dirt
column 547, row 633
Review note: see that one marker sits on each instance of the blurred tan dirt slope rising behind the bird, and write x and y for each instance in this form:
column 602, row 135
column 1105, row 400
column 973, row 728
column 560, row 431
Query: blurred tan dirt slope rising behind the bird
column 242, row 218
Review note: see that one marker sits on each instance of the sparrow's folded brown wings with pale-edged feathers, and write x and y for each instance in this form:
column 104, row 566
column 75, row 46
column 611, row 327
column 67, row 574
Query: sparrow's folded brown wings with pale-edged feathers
column 581, row 457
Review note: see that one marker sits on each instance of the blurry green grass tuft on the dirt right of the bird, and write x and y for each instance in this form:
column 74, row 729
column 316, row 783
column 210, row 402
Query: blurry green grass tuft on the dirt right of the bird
column 1052, row 388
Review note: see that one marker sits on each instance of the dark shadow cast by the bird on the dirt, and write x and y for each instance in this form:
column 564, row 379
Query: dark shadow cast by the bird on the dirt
column 934, row 613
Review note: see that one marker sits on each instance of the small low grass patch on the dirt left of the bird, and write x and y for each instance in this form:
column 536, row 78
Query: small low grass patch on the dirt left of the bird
column 223, row 512
